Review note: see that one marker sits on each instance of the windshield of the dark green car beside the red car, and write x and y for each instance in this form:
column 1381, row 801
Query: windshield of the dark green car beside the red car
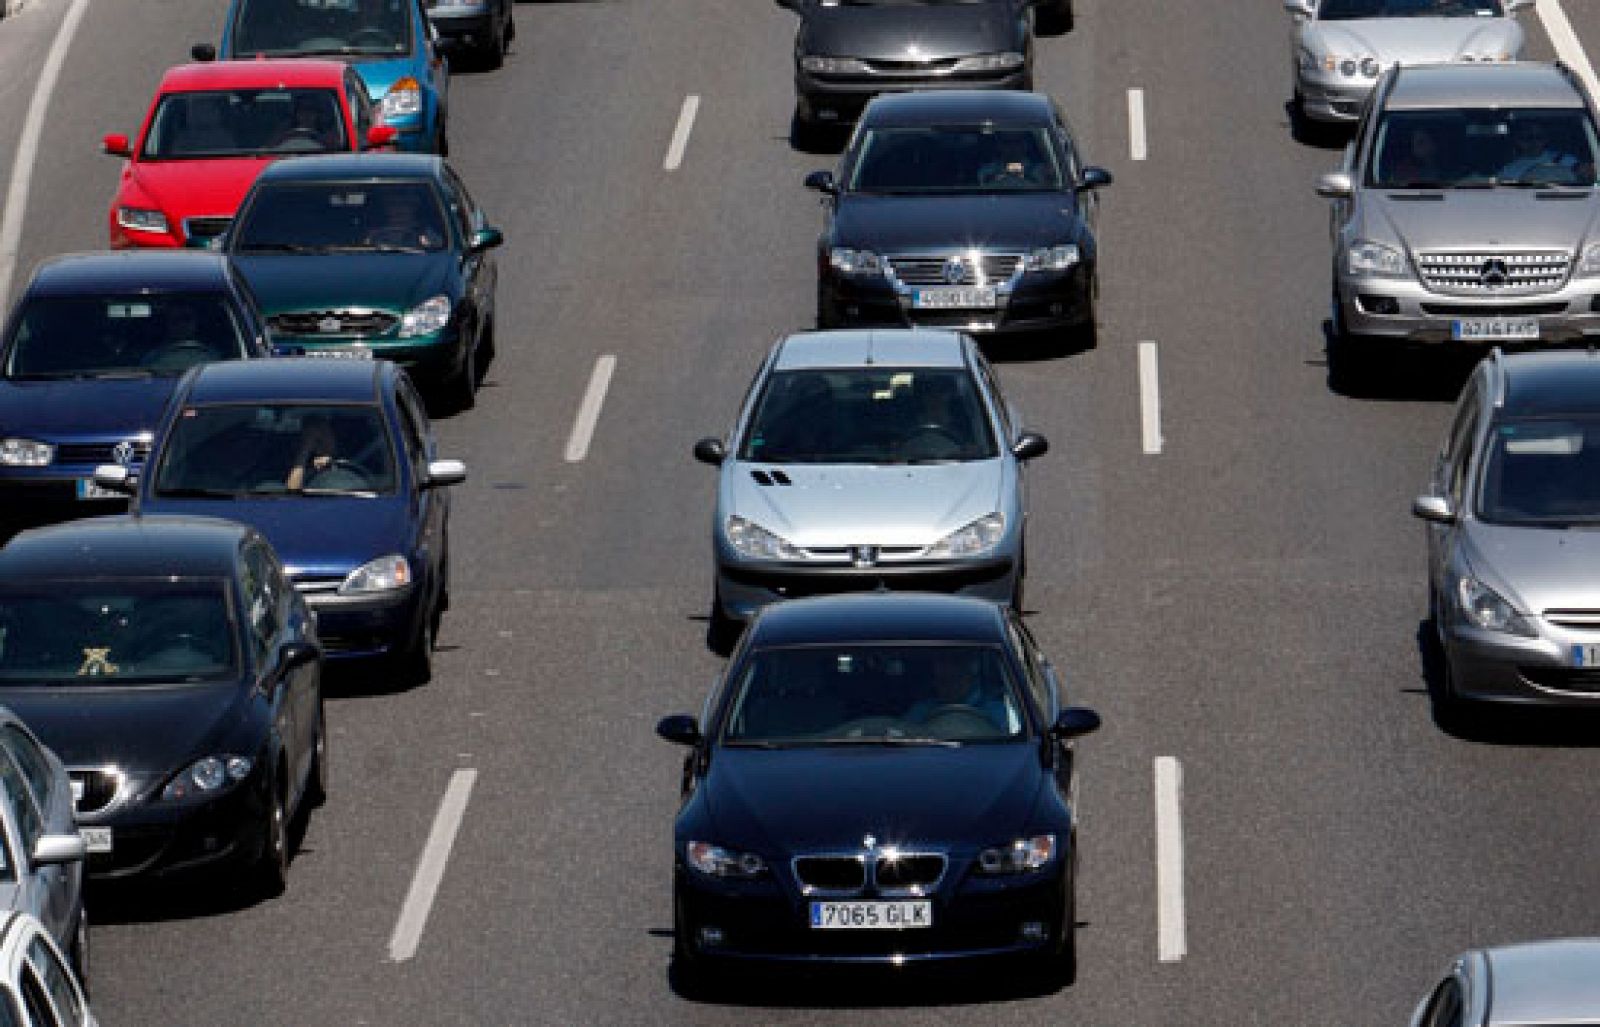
column 342, row 218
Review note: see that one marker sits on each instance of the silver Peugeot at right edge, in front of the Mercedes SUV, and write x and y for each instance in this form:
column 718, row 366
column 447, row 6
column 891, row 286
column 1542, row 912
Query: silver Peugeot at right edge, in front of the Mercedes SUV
column 1514, row 535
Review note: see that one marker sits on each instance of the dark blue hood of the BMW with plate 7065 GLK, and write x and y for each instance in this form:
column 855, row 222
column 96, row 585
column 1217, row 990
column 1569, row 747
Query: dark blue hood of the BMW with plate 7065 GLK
column 818, row 799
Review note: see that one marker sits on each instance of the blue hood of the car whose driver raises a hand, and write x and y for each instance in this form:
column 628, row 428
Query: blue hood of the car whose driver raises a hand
column 318, row 537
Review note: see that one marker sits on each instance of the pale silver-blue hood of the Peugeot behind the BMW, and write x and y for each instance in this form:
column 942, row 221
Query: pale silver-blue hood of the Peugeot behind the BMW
column 860, row 505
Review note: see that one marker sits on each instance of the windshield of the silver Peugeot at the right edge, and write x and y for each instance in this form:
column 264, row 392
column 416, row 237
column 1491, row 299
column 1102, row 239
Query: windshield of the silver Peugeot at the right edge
column 1543, row 473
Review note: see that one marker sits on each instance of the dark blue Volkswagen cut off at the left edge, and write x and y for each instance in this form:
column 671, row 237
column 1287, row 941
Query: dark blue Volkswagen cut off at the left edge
column 89, row 361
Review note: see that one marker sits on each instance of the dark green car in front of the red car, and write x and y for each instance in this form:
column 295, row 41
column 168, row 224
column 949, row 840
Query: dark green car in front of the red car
column 374, row 257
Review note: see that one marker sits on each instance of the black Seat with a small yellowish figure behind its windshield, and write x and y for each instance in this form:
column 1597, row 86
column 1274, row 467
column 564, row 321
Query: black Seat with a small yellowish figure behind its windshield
column 177, row 674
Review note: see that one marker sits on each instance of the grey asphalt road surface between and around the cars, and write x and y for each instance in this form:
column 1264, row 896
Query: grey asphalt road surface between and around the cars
column 1230, row 575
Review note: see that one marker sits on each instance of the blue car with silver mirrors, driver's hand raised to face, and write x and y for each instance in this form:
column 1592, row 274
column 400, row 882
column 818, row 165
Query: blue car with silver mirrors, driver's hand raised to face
column 335, row 463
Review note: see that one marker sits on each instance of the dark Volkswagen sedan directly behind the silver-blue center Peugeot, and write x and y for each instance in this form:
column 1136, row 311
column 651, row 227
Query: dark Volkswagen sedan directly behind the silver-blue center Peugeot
column 964, row 210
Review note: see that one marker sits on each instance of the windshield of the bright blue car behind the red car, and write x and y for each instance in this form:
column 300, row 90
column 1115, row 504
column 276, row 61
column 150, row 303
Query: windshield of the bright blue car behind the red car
column 334, row 28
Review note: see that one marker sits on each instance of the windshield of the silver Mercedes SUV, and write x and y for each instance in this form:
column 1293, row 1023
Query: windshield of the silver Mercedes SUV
column 1484, row 148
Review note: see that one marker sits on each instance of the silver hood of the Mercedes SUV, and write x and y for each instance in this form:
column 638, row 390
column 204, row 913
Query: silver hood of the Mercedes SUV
column 1482, row 220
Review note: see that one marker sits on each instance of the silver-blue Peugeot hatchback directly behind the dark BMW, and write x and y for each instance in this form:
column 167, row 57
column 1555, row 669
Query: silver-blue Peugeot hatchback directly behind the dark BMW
column 870, row 460
